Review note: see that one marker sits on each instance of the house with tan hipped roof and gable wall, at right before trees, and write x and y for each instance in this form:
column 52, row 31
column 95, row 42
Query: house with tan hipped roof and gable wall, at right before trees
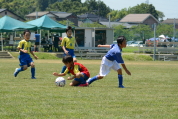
column 146, row 19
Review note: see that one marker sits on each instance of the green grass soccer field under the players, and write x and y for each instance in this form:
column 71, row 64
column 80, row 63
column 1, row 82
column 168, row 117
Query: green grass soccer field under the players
column 151, row 92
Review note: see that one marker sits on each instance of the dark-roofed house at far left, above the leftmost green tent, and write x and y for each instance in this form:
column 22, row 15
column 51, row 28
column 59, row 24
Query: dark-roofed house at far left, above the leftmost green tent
column 4, row 12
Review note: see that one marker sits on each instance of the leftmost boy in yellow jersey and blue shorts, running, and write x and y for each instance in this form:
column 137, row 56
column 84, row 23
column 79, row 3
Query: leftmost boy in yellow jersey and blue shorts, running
column 25, row 60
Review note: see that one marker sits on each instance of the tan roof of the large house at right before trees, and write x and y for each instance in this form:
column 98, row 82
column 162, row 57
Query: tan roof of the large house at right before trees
column 136, row 18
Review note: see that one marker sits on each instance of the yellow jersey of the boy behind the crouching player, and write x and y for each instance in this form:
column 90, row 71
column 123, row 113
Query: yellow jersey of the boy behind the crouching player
column 68, row 42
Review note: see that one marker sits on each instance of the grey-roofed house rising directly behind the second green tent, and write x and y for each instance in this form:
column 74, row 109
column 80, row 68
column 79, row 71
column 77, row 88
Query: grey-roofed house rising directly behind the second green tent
column 57, row 16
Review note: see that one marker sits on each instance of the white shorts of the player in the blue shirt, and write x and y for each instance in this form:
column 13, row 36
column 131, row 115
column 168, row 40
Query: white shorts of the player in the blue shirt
column 107, row 65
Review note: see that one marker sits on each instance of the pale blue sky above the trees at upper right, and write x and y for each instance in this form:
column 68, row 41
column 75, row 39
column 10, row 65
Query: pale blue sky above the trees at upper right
column 168, row 7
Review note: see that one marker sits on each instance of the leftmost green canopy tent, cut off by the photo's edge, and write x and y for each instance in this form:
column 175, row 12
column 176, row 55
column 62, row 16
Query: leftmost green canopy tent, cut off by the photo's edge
column 8, row 24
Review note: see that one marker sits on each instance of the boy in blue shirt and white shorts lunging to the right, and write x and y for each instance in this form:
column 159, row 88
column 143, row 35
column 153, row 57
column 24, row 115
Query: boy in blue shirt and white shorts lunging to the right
column 112, row 60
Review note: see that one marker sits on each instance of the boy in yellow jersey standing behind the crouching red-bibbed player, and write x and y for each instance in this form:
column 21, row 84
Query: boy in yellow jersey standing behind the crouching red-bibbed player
column 68, row 45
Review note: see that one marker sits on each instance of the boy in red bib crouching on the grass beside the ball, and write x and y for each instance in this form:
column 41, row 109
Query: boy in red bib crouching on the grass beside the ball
column 80, row 73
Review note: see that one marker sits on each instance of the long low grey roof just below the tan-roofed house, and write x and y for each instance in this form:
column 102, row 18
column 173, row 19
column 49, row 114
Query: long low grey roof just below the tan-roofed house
column 118, row 23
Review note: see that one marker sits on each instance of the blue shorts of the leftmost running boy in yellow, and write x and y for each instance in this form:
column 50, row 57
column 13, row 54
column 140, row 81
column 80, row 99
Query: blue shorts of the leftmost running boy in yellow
column 25, row 59
